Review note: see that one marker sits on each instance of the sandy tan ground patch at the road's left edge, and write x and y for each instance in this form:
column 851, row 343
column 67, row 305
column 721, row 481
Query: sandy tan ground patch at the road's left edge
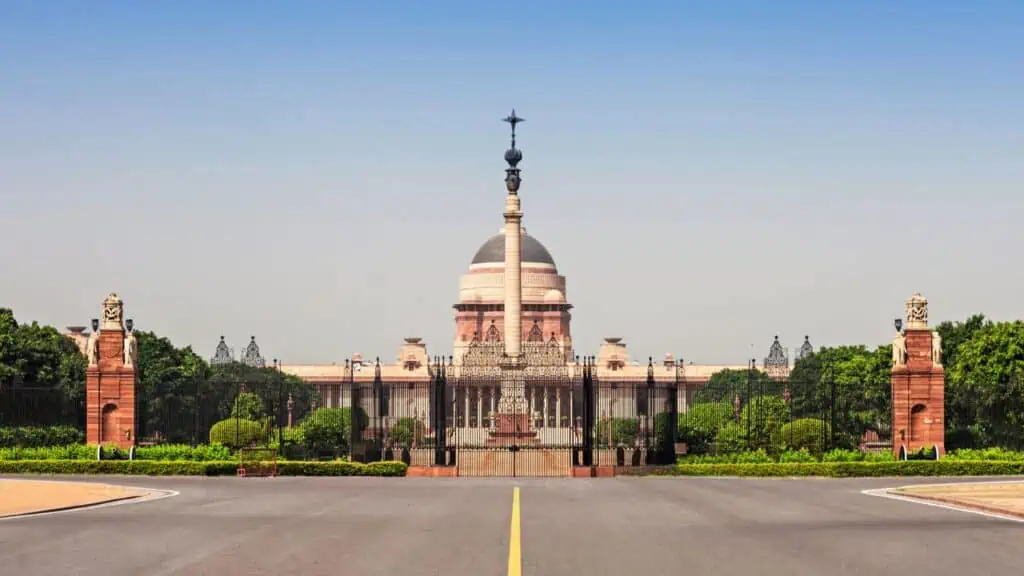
column 27, row 497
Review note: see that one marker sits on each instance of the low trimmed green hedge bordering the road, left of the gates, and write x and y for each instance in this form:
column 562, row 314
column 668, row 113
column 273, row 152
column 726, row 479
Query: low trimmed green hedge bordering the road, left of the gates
column 185, row 468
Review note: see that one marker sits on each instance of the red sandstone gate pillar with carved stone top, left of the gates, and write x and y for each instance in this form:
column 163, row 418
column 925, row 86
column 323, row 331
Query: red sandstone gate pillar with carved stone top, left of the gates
column 110, row 380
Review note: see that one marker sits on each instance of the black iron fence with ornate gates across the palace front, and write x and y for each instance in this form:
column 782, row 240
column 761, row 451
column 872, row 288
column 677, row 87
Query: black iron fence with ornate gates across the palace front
column 586, row 421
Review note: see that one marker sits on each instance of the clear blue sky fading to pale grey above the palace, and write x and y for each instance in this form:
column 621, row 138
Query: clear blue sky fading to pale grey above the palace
column 319, row 175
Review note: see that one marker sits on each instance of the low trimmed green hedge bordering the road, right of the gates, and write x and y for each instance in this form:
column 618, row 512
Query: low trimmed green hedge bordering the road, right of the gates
column 855, row 470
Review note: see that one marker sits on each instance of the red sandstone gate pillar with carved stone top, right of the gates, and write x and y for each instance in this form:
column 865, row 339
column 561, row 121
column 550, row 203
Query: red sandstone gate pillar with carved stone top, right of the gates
column 918, row 384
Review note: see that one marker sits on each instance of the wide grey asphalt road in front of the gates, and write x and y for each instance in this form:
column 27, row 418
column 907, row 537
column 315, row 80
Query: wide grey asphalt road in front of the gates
column 461, row 527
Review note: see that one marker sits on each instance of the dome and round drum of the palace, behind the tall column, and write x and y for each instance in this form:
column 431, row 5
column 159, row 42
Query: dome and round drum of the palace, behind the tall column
column 481, row 311
